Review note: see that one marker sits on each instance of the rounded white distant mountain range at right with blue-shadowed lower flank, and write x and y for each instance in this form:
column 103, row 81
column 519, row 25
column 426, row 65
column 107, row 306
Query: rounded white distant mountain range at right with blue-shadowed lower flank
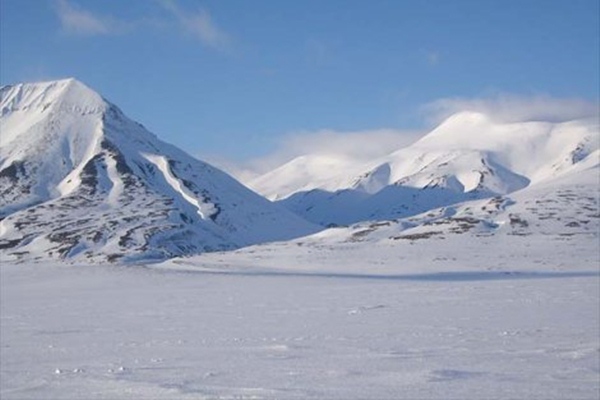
column 467, row 157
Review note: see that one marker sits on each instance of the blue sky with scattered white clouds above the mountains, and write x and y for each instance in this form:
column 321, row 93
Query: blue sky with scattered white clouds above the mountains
column 238, row 82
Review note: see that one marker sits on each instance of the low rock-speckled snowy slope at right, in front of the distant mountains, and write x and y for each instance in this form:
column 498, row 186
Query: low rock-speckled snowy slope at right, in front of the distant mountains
column 563, row 209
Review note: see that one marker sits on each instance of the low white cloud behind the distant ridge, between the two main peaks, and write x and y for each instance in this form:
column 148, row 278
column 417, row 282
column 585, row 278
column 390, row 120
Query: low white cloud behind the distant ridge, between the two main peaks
column 361, row 146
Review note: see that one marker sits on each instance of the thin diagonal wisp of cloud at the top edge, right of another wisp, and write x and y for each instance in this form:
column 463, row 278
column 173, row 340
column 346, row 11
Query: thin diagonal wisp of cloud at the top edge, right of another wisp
column 199, row 24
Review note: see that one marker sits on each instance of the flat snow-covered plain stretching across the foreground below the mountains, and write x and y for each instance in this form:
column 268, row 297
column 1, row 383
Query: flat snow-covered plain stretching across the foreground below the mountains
column 503, row 319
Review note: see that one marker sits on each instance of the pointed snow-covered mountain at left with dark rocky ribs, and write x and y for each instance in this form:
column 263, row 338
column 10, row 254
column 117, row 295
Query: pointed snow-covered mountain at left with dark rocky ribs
column 79, row 180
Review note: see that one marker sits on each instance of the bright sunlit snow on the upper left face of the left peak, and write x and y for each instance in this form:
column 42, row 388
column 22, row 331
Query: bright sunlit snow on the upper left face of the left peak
column 49, row 118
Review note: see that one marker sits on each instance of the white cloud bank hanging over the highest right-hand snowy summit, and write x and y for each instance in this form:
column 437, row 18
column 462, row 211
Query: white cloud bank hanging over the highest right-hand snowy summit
column 514, row 108
